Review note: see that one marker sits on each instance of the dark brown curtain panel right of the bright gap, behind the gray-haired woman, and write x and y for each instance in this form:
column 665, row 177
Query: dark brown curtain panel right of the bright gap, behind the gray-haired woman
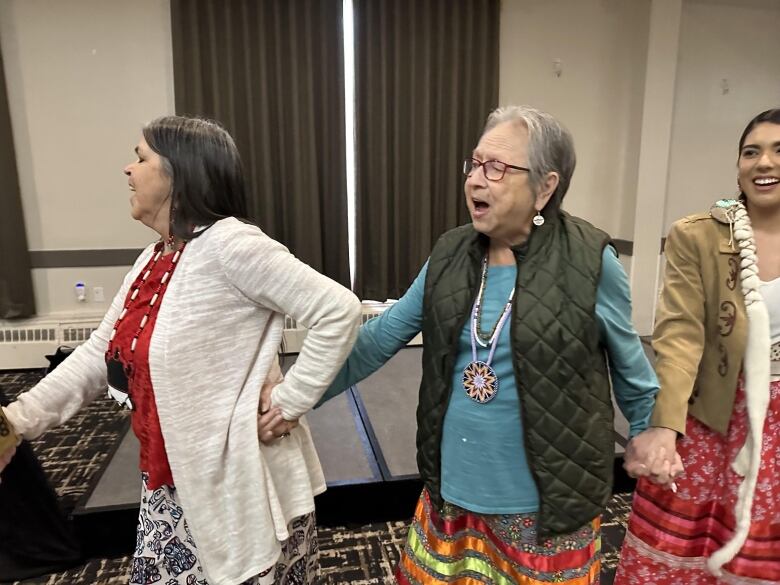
column 427, row 77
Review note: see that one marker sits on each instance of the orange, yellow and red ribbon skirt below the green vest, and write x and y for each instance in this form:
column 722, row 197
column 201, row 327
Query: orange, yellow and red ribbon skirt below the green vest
column 465, row 548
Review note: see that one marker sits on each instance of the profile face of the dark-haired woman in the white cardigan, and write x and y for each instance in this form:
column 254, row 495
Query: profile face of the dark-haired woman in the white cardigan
column 150, row 188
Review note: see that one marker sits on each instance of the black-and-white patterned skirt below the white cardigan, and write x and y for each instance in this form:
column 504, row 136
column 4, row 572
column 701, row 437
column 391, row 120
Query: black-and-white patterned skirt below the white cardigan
column 166, row 553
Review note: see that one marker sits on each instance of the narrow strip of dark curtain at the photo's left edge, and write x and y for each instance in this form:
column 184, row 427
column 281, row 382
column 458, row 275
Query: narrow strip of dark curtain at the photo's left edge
column 16, row 290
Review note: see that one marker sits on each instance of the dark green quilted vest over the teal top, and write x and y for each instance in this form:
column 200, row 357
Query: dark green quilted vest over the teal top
column 560, row 366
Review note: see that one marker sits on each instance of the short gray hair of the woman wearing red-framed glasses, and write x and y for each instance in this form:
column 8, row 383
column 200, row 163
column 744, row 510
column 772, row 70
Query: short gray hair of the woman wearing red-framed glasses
column 550, row 148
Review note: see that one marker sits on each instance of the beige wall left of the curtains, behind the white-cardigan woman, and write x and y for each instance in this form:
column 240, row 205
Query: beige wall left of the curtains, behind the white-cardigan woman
column 83, row 76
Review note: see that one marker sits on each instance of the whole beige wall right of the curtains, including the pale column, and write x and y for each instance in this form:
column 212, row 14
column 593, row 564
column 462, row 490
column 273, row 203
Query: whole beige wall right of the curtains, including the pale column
column 601, row 96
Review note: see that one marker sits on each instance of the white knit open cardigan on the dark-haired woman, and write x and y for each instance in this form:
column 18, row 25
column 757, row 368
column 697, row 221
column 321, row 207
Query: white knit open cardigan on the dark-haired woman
column 214, row 342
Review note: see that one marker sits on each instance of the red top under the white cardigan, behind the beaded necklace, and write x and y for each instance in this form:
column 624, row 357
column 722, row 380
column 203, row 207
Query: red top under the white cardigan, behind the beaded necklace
column 144, row 418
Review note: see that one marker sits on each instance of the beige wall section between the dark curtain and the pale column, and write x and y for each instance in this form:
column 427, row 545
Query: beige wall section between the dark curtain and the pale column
column 602, row 45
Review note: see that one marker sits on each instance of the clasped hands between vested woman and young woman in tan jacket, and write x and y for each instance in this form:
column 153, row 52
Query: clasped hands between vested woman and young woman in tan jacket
column 653, row 454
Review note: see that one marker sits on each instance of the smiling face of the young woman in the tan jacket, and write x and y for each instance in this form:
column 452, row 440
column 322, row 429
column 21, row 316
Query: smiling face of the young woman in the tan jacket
column 759, row 166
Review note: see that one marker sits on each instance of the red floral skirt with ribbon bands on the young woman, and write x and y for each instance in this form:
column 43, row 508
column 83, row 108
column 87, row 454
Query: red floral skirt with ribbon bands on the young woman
column 671, row 535
